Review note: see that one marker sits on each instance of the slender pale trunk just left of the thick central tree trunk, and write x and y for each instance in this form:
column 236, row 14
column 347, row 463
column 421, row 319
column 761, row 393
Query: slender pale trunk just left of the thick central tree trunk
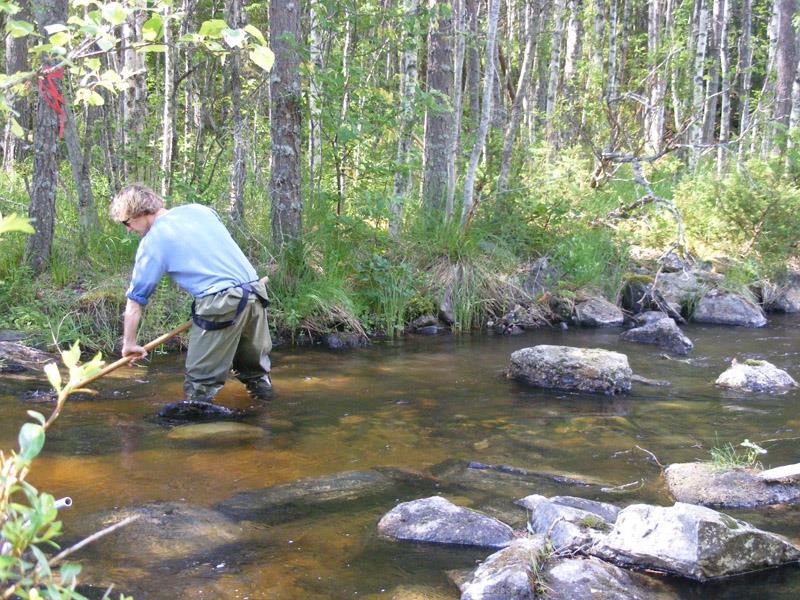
column 408, row 89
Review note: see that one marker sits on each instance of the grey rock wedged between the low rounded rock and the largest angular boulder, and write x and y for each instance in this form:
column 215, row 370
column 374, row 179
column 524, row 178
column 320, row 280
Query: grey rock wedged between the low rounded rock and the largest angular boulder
column 568, row 528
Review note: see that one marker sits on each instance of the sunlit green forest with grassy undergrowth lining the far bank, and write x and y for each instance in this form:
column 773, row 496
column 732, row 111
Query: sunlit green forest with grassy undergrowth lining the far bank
column 378, row 158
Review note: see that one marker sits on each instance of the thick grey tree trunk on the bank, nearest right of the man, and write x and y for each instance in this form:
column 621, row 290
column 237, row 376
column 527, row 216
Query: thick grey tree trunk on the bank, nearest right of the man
column 285, row 104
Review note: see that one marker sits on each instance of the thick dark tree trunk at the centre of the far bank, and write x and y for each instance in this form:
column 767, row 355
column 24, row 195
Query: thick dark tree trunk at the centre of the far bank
column 438, row 119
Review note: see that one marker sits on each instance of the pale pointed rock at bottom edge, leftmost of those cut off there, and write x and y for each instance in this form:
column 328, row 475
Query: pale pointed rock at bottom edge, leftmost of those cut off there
column 507, row 574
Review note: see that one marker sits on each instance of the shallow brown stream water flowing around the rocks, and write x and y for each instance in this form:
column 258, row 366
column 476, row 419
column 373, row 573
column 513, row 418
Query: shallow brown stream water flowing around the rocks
column 411, row 404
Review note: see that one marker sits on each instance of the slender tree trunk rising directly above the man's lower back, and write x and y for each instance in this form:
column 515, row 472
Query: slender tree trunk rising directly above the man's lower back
column 235, row 19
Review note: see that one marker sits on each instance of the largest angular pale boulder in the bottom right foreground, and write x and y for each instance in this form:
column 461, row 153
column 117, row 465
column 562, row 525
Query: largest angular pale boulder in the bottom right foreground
column 691, row 541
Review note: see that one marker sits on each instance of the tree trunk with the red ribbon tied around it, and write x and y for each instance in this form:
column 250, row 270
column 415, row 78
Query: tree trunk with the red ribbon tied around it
column 42, row 207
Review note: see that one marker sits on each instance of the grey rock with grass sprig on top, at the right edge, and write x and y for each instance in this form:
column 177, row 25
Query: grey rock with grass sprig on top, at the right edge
column 704, row 484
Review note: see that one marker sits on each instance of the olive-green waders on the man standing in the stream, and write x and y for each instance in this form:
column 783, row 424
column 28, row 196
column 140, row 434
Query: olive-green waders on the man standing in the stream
column 243, row 346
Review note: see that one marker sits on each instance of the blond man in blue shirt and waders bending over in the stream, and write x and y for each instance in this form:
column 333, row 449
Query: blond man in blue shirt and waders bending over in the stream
column 191, row 245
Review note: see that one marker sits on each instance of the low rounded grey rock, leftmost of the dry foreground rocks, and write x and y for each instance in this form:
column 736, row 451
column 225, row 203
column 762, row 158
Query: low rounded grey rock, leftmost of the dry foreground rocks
column 439, row 521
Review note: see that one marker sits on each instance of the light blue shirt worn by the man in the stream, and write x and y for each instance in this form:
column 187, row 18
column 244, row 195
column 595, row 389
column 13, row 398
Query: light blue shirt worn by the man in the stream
column 191, row 245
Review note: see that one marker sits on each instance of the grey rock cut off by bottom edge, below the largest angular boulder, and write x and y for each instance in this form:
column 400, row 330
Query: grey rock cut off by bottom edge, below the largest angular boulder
column 590, row 577
